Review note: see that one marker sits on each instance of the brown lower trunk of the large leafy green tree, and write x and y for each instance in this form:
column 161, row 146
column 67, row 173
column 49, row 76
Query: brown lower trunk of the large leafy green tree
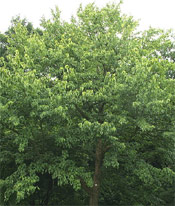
column 94, row 195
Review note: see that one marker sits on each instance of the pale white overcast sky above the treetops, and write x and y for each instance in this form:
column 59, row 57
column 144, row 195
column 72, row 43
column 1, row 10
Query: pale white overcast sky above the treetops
column 155, row 13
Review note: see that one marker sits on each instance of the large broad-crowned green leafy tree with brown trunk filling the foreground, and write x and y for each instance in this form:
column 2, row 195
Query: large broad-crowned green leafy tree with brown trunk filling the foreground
column 83, row 101
